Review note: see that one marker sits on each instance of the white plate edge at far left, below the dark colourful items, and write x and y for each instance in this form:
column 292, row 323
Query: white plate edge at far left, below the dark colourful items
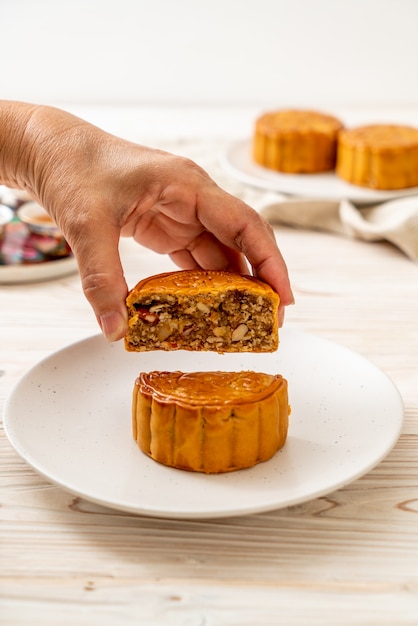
column 35, row 272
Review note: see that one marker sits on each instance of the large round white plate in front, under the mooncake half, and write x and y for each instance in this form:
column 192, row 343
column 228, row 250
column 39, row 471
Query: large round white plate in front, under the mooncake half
column 70, row 419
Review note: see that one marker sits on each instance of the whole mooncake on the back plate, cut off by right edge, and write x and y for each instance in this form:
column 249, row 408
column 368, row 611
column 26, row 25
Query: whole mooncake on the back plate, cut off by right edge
column 379, row 156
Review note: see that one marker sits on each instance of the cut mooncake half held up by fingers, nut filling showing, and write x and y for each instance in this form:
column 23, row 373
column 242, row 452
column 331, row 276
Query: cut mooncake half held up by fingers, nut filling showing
column 202, row 310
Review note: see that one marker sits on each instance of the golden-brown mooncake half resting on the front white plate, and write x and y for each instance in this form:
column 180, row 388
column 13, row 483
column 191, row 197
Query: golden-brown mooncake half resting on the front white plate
column 210, row 422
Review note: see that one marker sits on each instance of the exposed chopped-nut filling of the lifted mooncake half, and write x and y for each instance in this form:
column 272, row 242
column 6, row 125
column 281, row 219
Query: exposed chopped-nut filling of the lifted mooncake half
column 232, row 321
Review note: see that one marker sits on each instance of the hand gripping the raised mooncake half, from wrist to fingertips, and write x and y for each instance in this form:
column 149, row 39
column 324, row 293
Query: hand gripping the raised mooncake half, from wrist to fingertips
column 98, row 187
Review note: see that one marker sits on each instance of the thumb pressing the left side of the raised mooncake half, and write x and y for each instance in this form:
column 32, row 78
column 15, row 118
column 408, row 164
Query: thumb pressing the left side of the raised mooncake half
column 102, row 278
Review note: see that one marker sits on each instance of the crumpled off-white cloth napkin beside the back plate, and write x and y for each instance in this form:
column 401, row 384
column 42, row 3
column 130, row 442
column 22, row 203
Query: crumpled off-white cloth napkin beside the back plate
column 395, row 221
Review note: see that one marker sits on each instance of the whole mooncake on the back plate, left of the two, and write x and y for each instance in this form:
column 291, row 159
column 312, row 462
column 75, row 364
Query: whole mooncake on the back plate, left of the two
column 296, row 141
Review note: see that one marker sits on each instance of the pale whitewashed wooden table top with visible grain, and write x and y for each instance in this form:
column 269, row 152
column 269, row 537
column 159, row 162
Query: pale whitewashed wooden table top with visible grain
column 348, row 558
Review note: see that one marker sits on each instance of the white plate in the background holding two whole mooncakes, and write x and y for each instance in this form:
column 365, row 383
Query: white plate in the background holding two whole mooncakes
column 238, row 162
